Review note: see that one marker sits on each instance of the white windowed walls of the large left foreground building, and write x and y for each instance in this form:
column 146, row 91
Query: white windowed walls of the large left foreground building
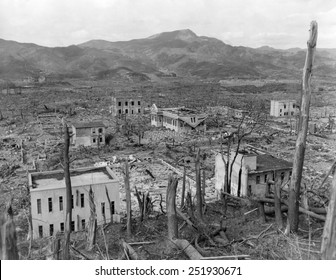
column 57, row 216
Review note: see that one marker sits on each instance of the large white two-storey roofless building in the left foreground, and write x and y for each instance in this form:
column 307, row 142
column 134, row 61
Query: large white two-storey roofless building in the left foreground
column 48, row 199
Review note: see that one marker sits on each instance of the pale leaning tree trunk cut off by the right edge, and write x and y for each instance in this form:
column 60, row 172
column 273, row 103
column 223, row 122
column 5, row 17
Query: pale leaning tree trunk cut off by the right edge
column 328, row 248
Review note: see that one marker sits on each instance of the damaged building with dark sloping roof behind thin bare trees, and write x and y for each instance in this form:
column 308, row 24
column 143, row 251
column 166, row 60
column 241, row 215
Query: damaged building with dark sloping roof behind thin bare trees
column 252, row 172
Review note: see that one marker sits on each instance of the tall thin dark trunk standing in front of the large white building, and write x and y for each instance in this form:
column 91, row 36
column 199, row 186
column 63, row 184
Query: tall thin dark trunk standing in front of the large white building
column 68, row 219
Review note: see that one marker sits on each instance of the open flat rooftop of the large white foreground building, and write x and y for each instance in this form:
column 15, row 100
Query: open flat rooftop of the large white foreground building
column 79, row 177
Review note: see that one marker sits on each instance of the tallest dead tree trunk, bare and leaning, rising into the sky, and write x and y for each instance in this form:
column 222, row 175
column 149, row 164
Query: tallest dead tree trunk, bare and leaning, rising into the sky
column 294, row 189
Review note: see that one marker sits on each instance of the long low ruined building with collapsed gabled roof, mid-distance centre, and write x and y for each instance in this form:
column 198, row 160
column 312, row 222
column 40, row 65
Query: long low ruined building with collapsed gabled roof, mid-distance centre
column 179, row 119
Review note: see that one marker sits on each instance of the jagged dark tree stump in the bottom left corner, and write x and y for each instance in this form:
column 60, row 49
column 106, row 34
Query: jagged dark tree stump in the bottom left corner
column 8, row 240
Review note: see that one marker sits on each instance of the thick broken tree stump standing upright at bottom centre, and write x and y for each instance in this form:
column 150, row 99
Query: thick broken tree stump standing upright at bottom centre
column 171, row 207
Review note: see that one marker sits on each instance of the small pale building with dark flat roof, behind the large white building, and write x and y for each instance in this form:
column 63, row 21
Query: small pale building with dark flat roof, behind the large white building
column 88, row 134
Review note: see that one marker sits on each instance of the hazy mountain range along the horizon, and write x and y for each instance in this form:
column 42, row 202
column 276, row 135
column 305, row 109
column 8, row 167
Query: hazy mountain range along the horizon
column 168, row 54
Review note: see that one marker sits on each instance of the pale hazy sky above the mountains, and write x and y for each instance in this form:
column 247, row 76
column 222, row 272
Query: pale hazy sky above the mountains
column 254, row 23
